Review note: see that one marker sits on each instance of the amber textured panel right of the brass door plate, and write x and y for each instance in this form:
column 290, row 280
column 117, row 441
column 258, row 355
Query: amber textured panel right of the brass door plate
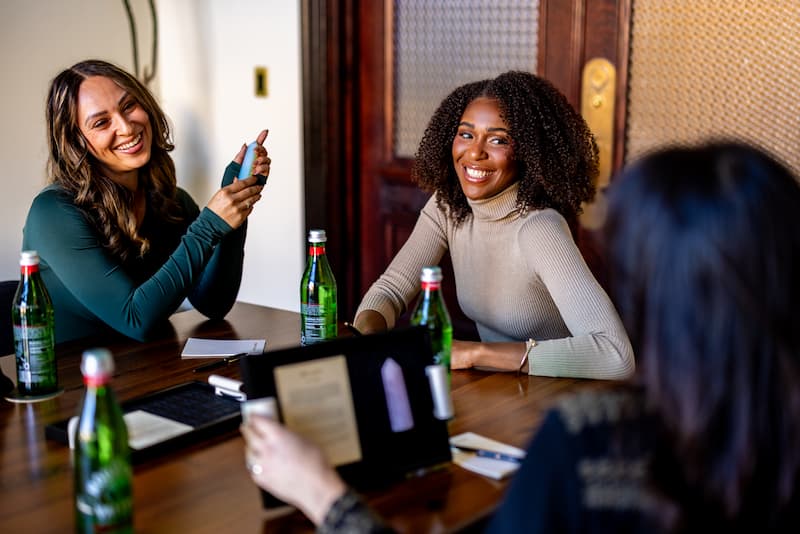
column 715, row 68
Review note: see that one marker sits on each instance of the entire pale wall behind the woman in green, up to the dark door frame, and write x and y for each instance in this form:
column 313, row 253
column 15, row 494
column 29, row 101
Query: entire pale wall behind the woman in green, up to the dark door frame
column 207, row 52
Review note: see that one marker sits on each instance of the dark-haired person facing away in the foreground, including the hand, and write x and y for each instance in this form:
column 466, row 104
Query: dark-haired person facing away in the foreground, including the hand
column 704, row 246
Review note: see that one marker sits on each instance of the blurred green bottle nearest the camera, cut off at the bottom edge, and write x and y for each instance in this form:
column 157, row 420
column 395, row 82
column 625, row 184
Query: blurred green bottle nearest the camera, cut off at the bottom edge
column 102, row 461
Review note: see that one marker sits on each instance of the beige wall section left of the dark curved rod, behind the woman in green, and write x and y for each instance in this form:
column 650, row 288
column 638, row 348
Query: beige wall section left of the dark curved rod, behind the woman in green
column 37, row 39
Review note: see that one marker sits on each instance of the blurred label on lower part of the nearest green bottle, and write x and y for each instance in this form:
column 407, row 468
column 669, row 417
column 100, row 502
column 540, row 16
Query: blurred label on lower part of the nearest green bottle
column 105, row 502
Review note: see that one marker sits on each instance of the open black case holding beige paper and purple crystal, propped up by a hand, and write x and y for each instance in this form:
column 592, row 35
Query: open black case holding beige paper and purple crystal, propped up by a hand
column 366, row 401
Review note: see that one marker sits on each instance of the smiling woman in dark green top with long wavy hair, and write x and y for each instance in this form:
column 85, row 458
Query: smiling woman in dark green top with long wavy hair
column 121, row 245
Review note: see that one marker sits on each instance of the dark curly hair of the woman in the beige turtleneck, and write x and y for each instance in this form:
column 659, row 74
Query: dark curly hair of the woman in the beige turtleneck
column 553, row 148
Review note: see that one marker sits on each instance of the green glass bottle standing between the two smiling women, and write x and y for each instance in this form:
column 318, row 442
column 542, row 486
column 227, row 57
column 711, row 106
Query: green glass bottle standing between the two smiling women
column 318, row 306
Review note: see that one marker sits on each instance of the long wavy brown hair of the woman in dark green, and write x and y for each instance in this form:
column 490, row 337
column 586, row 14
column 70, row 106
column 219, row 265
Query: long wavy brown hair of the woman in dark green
column 71, row 165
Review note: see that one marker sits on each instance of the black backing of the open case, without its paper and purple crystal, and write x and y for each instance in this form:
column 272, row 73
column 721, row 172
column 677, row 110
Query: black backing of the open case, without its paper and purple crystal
column 386, row 454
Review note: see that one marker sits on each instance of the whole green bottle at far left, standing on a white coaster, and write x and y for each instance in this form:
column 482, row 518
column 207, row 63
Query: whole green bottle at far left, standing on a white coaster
column 34, row 331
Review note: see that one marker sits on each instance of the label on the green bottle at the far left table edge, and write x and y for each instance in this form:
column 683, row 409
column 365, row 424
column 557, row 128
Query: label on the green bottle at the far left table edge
column 36, row 362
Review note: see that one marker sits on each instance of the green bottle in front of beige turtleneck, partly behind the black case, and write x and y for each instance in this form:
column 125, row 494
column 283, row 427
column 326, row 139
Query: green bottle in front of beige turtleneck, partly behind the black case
column 430, row 310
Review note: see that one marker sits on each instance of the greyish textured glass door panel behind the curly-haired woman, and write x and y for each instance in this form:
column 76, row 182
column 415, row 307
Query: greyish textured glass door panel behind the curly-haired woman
column 441, row 44
